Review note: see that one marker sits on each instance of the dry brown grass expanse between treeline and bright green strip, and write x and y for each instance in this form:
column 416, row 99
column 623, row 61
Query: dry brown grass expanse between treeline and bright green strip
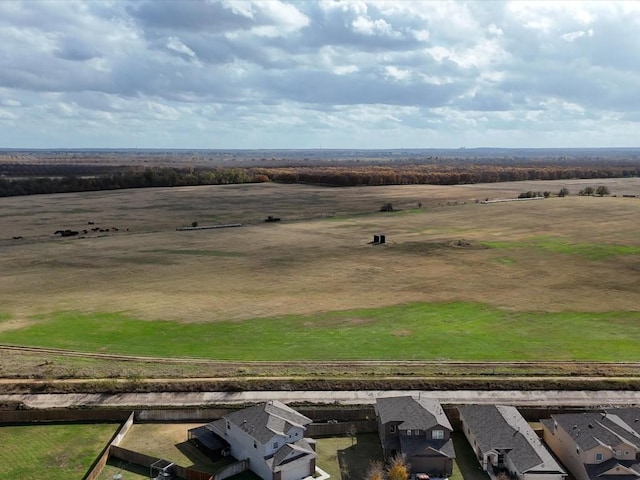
column 309, row 263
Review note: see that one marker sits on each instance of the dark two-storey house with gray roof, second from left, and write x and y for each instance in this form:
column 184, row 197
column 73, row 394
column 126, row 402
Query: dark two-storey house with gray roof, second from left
column 419, row 430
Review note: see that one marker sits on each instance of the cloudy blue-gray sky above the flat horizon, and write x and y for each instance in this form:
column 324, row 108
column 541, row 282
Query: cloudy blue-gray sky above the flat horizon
column 235, row 74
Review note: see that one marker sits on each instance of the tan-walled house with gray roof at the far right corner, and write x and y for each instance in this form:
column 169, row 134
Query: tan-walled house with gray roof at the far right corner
column 597, row 445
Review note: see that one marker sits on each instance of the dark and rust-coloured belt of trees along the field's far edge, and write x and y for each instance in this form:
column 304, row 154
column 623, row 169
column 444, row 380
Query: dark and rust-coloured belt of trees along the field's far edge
column 49, row 179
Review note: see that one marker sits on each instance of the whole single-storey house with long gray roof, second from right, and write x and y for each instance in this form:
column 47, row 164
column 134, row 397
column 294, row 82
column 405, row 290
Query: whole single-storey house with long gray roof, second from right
column 504, row 442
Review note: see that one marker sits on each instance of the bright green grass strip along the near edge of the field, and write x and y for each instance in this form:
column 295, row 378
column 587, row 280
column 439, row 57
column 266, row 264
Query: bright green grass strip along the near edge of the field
column 452, row 331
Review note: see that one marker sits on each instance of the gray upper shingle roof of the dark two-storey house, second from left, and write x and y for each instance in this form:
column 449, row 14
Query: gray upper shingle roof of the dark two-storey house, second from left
column 412, row 413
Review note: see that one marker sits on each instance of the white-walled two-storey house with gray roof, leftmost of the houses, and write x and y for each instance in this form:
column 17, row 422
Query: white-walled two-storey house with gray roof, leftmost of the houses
column 271, row 436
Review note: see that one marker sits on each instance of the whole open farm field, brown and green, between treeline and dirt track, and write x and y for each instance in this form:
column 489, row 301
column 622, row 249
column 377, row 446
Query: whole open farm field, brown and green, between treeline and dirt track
column 457, row 279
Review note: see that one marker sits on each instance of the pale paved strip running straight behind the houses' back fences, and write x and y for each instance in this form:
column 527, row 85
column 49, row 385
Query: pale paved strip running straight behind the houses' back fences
column 458, row 397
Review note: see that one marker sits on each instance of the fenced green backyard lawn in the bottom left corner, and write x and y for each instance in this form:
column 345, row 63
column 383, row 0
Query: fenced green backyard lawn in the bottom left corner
column 51, row 452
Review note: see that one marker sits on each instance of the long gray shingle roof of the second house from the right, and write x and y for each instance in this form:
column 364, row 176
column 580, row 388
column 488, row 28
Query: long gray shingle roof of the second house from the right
column 503, row 428
